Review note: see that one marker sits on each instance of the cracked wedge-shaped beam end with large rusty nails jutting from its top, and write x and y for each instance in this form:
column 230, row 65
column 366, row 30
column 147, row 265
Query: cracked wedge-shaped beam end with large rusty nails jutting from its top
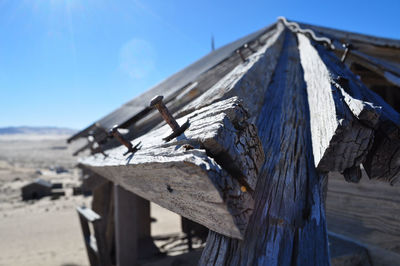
column 207, row 174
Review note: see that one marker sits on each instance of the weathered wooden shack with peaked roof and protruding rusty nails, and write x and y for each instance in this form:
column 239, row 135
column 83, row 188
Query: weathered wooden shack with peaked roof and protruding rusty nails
column 260, row 123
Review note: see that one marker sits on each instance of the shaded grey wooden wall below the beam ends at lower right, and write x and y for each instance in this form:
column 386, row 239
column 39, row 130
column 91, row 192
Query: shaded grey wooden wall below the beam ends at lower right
column 368, row 211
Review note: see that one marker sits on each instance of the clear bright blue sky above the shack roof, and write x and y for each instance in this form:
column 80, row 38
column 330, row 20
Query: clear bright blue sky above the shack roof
column 67, row 63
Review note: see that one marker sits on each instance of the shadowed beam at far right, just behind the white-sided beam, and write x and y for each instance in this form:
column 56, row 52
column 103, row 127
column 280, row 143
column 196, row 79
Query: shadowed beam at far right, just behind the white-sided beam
column 383, row 159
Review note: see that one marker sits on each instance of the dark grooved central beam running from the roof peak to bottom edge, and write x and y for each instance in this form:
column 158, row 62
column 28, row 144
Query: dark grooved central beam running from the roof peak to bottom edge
column 288, row 224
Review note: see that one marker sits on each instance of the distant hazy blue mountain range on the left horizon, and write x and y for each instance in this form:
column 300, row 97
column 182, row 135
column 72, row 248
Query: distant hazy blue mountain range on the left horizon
column 36, row 130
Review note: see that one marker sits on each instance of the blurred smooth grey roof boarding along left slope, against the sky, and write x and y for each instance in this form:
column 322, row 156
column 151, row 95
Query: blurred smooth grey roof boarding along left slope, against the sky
column 205, row 72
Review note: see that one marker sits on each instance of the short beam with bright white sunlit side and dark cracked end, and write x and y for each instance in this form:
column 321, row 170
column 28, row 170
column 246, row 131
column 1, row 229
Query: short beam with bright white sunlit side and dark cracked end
column 339, row 140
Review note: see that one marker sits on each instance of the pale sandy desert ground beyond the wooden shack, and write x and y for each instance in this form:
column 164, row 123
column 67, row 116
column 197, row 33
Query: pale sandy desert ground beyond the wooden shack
column 45, row 231
